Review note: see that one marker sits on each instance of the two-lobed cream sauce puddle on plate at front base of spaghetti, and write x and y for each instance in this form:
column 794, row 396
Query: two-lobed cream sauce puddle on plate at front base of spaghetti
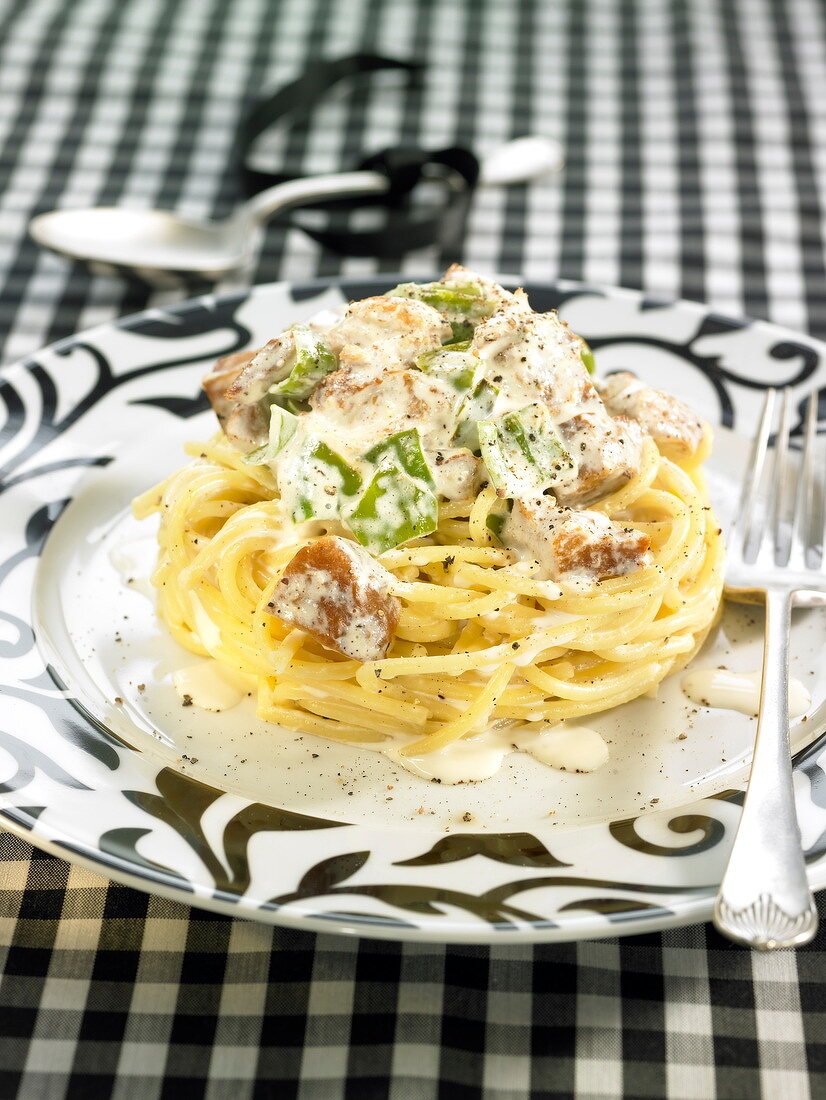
column 566, row 747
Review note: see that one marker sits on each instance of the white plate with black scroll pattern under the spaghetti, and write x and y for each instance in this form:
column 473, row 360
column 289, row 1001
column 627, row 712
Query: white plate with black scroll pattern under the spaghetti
column 101, row 764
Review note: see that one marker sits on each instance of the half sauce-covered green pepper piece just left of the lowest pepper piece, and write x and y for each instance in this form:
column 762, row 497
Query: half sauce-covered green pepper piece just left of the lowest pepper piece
column 317, row 481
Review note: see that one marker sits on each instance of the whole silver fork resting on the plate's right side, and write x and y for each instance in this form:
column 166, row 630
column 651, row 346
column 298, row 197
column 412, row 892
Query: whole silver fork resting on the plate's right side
column 765, row 900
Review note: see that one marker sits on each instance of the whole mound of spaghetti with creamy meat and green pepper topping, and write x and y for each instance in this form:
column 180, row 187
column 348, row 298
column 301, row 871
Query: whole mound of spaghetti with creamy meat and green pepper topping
column 425, row 515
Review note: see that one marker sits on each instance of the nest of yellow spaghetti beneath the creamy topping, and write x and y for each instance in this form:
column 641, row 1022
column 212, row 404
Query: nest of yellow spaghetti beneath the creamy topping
column 480, row 640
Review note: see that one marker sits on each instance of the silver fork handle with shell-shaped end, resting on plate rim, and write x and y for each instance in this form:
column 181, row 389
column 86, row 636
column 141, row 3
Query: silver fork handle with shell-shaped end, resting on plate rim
column 765, row 900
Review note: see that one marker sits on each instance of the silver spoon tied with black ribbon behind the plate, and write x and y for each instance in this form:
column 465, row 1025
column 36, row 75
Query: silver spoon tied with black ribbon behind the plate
column 159, row 241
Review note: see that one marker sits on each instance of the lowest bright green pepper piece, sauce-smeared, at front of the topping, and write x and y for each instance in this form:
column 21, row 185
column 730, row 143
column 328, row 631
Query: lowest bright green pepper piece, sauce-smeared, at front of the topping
column 393, row 510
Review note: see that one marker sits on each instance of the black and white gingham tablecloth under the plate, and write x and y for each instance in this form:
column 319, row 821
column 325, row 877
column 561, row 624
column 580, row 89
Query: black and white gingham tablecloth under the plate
column 696, row 140
